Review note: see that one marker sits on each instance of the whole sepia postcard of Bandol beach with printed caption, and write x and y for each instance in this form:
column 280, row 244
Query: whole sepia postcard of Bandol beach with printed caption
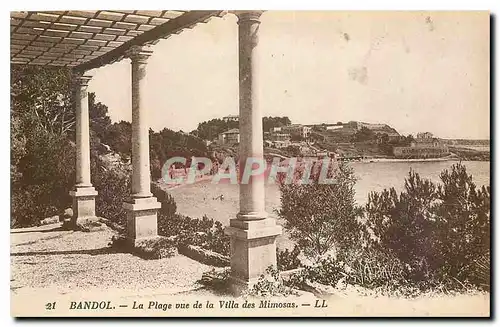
column 169, row 163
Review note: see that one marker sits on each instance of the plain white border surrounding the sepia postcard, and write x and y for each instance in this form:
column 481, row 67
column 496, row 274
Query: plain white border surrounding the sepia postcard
column 492, row 5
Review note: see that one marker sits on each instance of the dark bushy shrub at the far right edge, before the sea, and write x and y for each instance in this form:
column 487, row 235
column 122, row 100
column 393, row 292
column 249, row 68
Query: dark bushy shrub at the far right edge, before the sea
column 463, row 229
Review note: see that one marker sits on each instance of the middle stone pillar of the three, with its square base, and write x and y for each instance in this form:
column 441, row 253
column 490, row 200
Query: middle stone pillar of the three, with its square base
column 142, row 207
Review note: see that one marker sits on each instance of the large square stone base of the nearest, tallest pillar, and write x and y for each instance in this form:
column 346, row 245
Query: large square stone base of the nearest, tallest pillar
column 253, row 250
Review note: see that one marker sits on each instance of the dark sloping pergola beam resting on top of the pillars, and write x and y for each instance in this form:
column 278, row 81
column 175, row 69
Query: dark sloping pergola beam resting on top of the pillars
column 172, row 26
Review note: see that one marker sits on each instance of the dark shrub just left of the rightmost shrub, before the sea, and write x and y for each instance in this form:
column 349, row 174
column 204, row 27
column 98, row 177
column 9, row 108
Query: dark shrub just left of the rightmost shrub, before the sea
column 404, row 224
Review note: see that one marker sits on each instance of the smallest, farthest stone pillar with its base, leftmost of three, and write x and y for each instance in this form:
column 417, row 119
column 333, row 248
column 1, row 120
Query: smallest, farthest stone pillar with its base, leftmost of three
column 83, row 194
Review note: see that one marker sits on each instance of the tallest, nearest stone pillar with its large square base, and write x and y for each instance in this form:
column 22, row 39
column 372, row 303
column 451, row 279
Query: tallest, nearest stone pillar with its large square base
column 253, row 234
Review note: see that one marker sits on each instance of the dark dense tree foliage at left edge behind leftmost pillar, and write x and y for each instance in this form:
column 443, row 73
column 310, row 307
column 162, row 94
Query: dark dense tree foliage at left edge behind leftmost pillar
column 43, row 155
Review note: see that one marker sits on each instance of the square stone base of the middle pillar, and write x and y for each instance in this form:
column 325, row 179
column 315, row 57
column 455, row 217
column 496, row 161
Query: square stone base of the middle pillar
column 142, row 219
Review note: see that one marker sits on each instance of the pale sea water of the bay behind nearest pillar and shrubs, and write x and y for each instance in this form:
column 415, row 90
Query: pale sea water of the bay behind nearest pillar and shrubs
column 203, row 198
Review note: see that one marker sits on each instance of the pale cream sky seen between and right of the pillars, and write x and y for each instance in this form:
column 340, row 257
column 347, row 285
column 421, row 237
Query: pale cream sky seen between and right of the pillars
column 416, row 71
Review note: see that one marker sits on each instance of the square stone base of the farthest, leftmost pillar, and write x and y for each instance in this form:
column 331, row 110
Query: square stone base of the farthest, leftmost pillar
column 83, row 205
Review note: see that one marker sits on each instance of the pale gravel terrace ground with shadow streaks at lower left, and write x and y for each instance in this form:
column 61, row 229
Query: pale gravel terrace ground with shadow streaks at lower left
column 48, row 257
